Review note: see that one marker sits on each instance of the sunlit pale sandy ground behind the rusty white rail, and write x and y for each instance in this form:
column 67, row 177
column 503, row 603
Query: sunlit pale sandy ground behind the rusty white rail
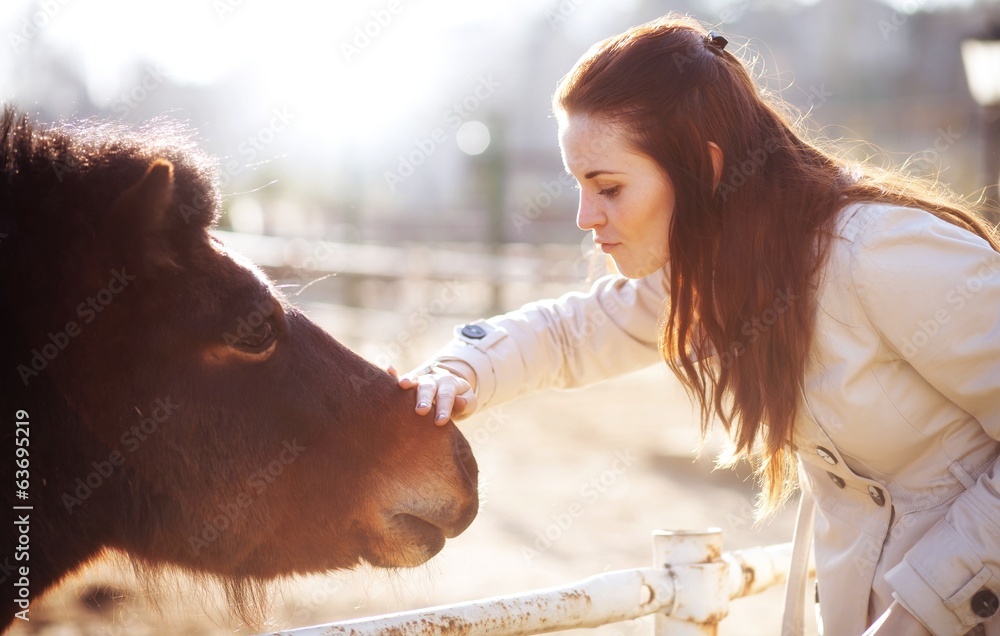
column 539, row 458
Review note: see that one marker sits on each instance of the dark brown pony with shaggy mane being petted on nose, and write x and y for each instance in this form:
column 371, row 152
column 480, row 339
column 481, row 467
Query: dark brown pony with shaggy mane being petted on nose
column 159, row 397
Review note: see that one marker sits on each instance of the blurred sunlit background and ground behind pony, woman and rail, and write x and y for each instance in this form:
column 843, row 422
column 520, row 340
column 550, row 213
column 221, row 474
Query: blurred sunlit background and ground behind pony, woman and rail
column 394, row 166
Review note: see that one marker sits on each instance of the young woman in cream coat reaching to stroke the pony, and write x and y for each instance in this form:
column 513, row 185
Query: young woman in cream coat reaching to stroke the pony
column 842, row 322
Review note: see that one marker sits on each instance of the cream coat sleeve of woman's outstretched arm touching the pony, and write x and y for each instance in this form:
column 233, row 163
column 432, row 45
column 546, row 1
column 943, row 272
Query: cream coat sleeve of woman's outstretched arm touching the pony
column 568, row 342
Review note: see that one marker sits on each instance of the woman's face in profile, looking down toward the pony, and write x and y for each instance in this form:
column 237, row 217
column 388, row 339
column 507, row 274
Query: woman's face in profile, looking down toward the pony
column 625, row 197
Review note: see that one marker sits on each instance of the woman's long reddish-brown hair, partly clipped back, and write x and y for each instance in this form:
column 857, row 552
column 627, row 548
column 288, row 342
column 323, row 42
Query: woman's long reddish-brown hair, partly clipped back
column 746, row 244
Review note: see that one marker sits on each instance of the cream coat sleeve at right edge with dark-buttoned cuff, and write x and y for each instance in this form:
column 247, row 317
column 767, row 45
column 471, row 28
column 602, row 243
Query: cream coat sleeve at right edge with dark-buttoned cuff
column 933, row 291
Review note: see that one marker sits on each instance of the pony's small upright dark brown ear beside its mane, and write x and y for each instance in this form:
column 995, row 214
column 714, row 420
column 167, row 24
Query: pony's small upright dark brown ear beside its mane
column 139, row 217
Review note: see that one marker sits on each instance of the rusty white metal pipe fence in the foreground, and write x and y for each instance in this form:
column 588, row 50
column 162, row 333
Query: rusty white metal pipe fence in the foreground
column 688, row 589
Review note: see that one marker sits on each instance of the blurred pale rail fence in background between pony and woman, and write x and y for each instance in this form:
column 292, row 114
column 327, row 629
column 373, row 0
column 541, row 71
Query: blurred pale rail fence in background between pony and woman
column 366, row 295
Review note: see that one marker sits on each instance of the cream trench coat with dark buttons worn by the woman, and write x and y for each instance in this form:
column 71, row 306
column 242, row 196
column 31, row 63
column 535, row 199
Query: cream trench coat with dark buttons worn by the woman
column 898, row 433
